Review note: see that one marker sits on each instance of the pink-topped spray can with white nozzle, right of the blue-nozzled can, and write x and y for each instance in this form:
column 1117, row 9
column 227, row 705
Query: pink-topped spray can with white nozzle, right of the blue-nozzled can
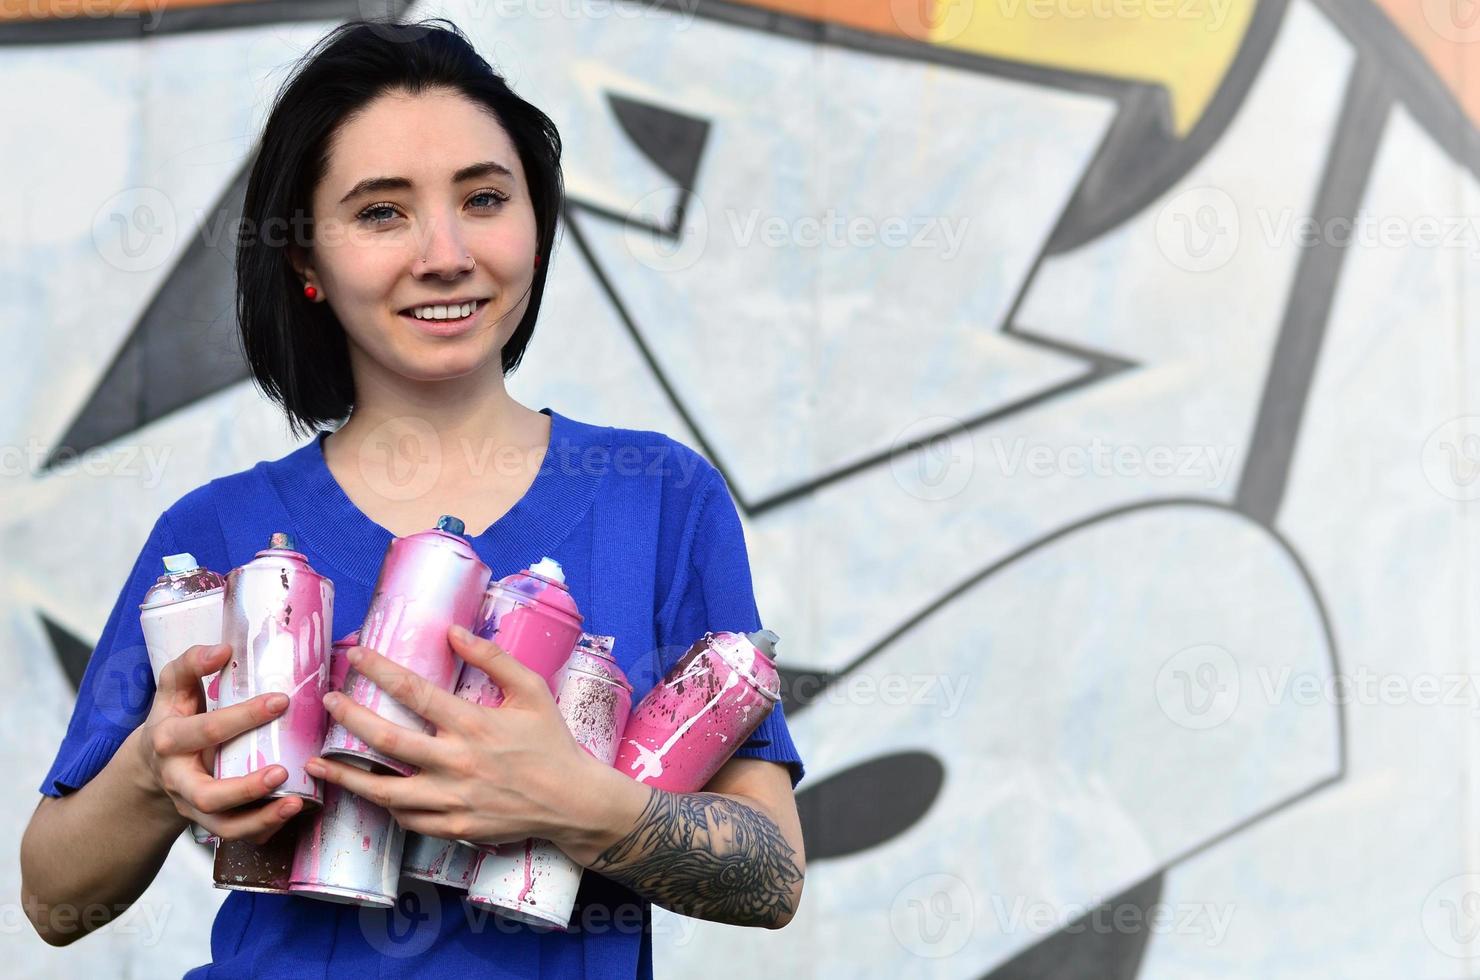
column 534, row 618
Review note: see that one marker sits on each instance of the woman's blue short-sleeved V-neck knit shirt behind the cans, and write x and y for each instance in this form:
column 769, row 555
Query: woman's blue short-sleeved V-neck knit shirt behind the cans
column 653, row 553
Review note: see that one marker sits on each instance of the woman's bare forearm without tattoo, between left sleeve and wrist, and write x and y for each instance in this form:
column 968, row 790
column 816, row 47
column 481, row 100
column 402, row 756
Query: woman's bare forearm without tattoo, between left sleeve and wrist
column 88, row 856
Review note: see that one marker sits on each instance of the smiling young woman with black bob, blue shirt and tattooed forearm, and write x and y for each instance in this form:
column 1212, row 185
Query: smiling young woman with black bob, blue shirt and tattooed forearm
column 397, row 229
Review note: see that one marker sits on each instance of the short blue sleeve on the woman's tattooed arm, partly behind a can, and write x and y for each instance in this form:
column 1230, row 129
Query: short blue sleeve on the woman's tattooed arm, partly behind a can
column 714, row 593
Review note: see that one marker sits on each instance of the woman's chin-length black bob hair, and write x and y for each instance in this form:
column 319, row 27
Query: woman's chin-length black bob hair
column 298, row 350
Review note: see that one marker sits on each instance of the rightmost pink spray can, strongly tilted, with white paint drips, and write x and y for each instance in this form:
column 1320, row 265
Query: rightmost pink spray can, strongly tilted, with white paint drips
column 708, row 705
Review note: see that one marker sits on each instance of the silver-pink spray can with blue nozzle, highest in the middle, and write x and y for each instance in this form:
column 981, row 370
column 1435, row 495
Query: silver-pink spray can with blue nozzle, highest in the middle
column 428, row 583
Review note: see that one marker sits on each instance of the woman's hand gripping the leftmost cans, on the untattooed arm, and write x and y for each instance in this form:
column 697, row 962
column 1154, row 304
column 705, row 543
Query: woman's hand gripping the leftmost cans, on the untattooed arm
column 180, row 731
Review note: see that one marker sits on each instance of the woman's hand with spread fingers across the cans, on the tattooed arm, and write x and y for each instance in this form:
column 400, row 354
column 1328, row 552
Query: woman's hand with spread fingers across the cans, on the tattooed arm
column 489, row 775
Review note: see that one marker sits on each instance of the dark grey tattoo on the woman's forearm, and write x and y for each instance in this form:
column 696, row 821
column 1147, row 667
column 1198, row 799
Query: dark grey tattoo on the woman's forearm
column 707, row 856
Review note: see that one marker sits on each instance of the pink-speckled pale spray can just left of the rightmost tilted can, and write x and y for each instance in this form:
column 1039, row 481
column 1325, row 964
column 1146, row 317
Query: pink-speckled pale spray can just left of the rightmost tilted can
column 534, row 882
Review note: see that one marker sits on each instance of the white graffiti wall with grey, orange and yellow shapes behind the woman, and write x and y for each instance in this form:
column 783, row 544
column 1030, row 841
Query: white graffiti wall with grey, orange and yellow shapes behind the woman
column 1109, row 448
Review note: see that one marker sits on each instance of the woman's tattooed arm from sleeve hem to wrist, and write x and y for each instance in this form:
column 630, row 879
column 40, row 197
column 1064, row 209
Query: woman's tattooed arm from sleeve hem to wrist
column 732, row 853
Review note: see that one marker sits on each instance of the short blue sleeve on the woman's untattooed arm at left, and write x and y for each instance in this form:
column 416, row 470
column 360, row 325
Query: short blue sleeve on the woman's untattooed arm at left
column 118, row 686
